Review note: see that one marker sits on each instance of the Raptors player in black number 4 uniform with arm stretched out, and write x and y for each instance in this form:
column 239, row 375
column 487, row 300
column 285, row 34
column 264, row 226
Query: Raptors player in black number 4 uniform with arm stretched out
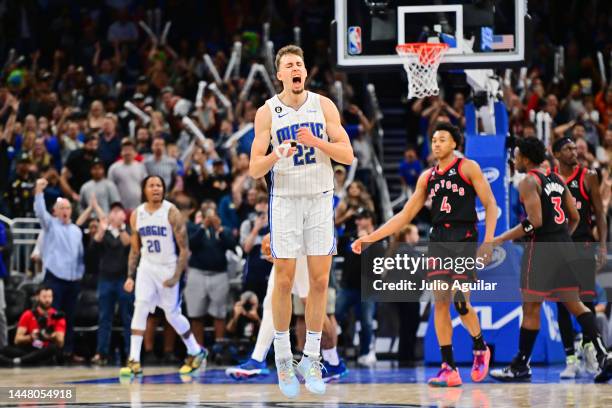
column 452, row 186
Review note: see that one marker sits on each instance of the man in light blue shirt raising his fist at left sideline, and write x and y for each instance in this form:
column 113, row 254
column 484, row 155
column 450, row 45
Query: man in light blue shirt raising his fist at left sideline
column 62, row 256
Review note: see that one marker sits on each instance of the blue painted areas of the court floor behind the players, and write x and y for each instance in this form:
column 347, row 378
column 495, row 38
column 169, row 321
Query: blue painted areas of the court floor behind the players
column 541, row 375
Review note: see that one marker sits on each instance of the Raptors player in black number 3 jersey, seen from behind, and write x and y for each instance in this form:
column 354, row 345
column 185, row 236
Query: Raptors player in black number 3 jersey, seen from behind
column 549, row 205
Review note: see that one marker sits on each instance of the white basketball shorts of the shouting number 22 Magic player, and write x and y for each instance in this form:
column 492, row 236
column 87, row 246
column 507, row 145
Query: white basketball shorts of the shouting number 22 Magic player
column 302, row 225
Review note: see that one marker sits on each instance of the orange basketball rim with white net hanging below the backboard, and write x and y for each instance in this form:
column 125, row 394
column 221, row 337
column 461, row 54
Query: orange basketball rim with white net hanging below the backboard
column 421, row 61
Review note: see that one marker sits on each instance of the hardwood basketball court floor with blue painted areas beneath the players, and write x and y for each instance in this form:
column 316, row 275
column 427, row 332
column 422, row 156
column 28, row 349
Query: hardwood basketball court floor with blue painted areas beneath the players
column 380, row 387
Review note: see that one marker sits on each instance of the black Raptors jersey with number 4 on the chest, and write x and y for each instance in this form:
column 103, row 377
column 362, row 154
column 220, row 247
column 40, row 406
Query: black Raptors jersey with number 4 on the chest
column 453, row 198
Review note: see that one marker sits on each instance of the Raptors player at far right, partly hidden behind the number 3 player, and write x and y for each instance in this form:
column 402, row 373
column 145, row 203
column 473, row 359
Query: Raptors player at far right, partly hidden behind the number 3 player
column 584, row 186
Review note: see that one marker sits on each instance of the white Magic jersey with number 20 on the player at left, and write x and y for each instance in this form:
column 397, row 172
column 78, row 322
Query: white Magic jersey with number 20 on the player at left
column 156, row 236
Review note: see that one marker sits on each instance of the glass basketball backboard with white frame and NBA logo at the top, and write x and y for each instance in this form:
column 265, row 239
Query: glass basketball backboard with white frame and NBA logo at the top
column 480, row 33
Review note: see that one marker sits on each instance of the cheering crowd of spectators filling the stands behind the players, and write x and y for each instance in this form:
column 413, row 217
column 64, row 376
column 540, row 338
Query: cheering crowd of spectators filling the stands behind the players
column 62, row 119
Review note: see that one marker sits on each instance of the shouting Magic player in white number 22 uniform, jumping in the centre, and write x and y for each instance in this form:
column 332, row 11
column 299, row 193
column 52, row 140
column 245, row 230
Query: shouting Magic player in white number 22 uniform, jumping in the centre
column 305, row 133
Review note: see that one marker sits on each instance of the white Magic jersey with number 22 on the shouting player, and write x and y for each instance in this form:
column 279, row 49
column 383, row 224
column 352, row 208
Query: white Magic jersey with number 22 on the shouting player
column 309, row 170
